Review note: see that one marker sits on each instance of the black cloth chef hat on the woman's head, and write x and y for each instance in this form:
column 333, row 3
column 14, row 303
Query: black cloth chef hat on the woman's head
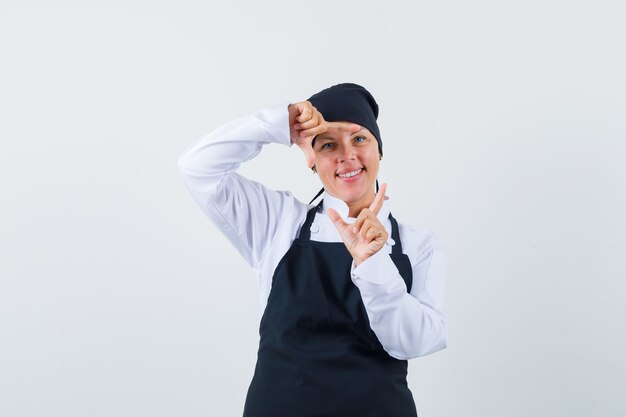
column 351, row 103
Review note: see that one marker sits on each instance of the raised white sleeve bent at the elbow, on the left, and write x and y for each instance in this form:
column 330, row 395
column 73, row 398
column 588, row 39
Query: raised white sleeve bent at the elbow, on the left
column 248, row 213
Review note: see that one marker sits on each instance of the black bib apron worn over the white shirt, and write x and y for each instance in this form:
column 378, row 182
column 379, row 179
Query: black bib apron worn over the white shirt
column 318, row 355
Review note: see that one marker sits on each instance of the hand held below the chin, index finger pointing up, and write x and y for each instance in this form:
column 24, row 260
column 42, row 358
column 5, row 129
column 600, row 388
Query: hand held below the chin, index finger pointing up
column 366, row 235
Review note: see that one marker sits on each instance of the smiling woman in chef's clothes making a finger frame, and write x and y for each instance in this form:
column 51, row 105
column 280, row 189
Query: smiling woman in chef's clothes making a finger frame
column 347, row 294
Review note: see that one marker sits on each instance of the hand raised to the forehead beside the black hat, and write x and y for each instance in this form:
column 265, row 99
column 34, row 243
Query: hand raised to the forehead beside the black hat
column 305, row 122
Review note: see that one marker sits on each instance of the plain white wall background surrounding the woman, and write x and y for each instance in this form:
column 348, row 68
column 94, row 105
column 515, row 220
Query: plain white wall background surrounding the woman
column 504, row 131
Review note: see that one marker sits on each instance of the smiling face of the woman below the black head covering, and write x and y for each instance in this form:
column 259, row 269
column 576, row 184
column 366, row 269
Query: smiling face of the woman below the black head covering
column 347, row 161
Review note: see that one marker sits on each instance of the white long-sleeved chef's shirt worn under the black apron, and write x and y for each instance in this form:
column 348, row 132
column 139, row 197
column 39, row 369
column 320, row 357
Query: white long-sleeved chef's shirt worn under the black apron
column 262, row 224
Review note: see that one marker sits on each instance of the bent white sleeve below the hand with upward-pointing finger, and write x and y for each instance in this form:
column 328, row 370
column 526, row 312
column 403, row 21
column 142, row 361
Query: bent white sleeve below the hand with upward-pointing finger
column 408, row 325
